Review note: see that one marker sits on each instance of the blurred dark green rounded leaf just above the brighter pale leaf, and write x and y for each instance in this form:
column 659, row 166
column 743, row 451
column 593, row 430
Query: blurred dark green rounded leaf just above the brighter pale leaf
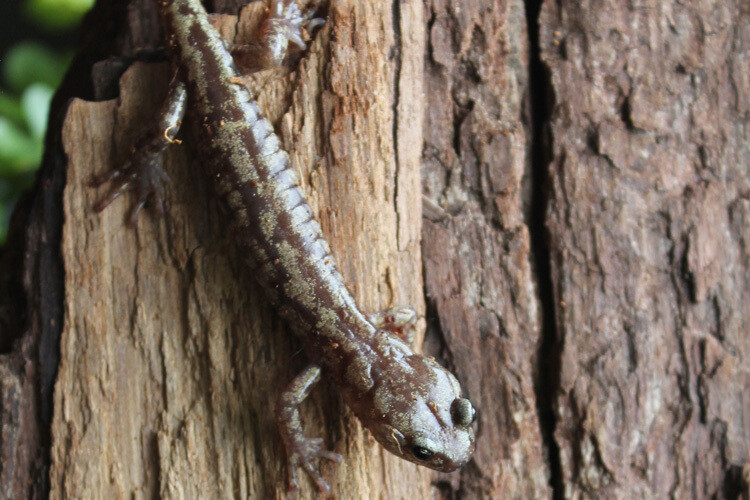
column 29, row 62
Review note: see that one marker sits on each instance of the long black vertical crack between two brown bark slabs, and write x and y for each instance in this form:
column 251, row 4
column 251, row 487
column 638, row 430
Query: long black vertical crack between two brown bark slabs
column 547, row 378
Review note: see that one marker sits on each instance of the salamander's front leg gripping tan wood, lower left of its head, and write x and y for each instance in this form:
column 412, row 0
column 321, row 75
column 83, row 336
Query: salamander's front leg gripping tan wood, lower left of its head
column 301, row 451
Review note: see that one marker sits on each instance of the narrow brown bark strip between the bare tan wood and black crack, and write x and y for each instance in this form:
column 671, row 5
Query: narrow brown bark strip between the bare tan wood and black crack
column 479, row 285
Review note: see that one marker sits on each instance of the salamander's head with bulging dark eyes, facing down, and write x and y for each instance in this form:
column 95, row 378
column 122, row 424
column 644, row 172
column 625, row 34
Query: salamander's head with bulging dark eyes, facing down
column 420, row 415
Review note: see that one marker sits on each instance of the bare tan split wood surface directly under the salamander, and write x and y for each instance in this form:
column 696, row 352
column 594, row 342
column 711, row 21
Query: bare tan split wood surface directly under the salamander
column 171, row 360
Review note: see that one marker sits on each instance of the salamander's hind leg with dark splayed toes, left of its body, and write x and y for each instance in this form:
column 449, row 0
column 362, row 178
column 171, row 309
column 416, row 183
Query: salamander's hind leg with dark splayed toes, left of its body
column 143, row 172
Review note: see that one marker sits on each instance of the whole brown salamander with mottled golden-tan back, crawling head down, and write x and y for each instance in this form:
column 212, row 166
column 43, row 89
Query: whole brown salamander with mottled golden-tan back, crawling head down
column 412, row 405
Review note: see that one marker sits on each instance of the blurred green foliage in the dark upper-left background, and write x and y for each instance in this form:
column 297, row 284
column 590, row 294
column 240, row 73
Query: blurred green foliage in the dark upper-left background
column 31, row 73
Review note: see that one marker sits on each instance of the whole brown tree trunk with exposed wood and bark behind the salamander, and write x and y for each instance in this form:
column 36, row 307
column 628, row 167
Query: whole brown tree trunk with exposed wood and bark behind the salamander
column 575, row 230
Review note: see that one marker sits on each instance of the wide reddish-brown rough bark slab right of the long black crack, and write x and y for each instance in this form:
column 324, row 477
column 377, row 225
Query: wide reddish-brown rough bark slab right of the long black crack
column 649, row 219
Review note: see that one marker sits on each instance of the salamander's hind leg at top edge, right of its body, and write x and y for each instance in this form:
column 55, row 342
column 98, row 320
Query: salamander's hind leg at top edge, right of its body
column 285, row 23
